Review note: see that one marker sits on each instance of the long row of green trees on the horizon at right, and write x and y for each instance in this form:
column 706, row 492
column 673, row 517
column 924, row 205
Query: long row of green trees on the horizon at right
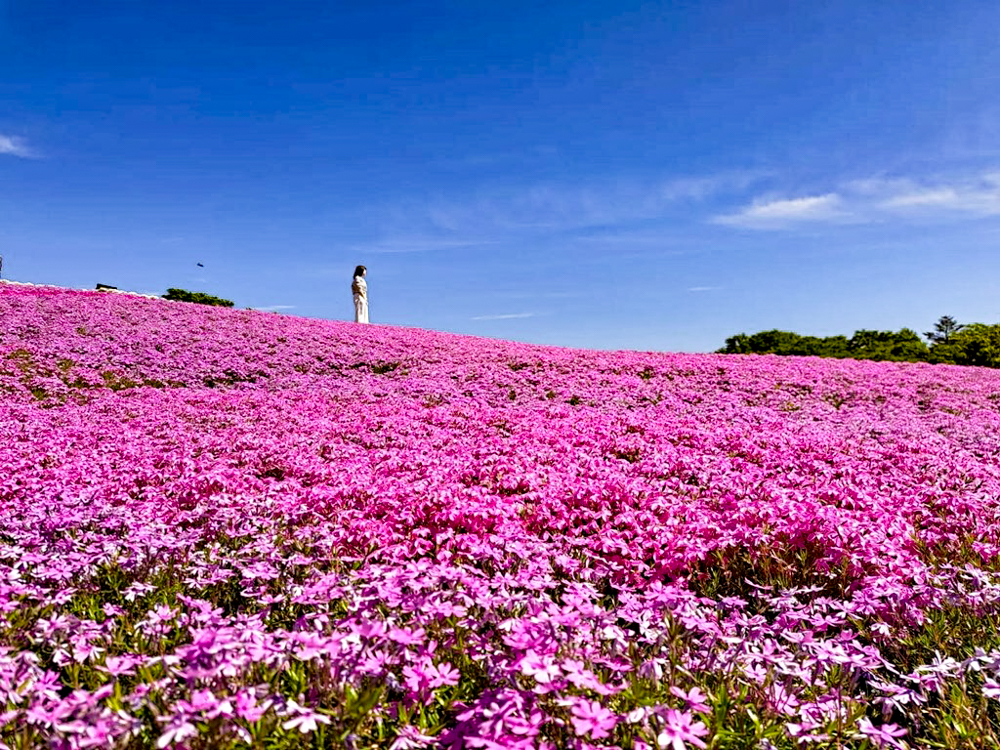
column 949, row 343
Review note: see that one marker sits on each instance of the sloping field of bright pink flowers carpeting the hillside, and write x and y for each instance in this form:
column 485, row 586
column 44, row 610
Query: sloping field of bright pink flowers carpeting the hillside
column 224, row 528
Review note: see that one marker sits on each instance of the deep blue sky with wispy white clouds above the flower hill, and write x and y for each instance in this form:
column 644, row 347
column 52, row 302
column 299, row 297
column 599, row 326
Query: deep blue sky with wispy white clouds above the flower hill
column 599, row 174
